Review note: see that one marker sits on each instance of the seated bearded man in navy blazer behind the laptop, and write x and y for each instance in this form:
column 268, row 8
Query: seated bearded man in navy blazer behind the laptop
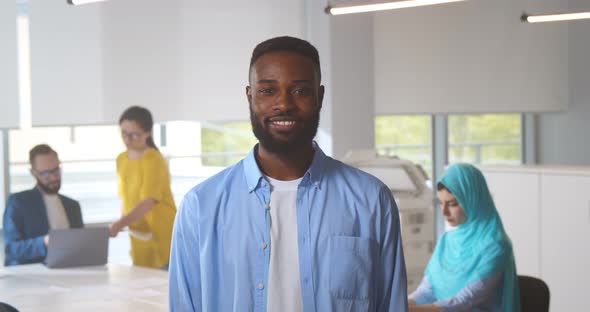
column 29, row 215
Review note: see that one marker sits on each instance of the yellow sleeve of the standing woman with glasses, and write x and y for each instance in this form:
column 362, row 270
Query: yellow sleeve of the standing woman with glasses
column 154, row 179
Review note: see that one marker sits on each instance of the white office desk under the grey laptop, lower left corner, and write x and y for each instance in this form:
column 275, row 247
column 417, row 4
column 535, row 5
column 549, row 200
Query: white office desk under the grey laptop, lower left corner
column 113, row 287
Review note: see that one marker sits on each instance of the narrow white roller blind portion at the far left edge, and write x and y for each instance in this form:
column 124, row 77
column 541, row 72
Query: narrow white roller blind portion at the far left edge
column 8, row 62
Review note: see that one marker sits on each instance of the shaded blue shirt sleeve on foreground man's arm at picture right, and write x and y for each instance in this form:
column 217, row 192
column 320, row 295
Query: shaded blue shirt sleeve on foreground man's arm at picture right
column 392, row 290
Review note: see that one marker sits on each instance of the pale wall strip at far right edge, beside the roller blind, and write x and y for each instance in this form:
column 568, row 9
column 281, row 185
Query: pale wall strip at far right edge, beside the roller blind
column 563, row 136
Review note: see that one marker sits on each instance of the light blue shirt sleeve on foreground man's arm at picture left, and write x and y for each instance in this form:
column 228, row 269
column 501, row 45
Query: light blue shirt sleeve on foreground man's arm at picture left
column 185, row 265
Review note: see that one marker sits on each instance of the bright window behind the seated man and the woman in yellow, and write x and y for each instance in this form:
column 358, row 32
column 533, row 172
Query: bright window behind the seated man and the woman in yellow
column 194, row 151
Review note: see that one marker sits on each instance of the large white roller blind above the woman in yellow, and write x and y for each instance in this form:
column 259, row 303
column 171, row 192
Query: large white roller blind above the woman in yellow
column 183, row 59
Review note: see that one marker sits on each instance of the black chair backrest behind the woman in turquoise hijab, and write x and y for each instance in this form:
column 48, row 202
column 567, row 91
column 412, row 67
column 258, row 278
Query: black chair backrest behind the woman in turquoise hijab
column 534, row 294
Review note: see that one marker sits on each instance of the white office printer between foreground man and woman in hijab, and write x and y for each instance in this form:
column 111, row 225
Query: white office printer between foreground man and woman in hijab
column 413, row 196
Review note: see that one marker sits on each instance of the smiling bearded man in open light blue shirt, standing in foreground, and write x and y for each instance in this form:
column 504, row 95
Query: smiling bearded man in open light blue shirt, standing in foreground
column 287, row 228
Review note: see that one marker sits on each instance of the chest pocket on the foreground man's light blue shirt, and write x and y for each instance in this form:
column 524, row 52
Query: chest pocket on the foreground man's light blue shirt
column 352, row 267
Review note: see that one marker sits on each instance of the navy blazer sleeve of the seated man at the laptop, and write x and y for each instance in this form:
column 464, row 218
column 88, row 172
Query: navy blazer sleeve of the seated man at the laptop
column 19, row 249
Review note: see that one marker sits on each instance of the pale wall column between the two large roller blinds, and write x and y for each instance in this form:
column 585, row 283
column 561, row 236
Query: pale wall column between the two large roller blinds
column 345, row 44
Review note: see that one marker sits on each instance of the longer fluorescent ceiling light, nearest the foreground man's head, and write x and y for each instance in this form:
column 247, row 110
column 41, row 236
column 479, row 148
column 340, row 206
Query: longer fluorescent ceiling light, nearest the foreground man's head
column 370, row 7
